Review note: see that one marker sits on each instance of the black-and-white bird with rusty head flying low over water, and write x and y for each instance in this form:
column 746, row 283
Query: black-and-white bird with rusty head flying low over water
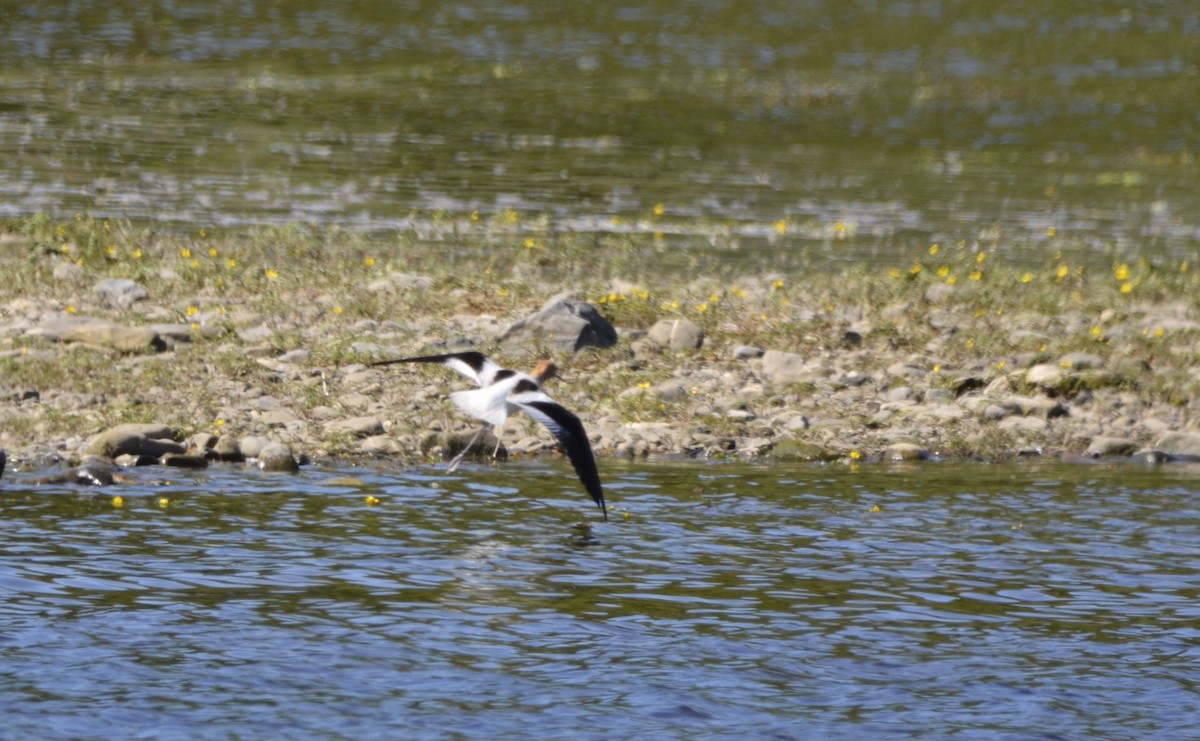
column 503, row 391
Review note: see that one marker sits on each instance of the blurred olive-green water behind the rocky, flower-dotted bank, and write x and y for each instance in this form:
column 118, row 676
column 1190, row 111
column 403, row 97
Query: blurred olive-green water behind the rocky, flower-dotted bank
column 857, row 130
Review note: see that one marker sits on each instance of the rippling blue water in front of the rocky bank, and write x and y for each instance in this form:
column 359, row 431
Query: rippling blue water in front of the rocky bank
column 1033, row 600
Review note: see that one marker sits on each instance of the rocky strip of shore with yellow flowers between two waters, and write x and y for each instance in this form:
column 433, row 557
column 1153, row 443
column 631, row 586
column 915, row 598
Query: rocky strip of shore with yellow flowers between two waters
column 122, row 373
